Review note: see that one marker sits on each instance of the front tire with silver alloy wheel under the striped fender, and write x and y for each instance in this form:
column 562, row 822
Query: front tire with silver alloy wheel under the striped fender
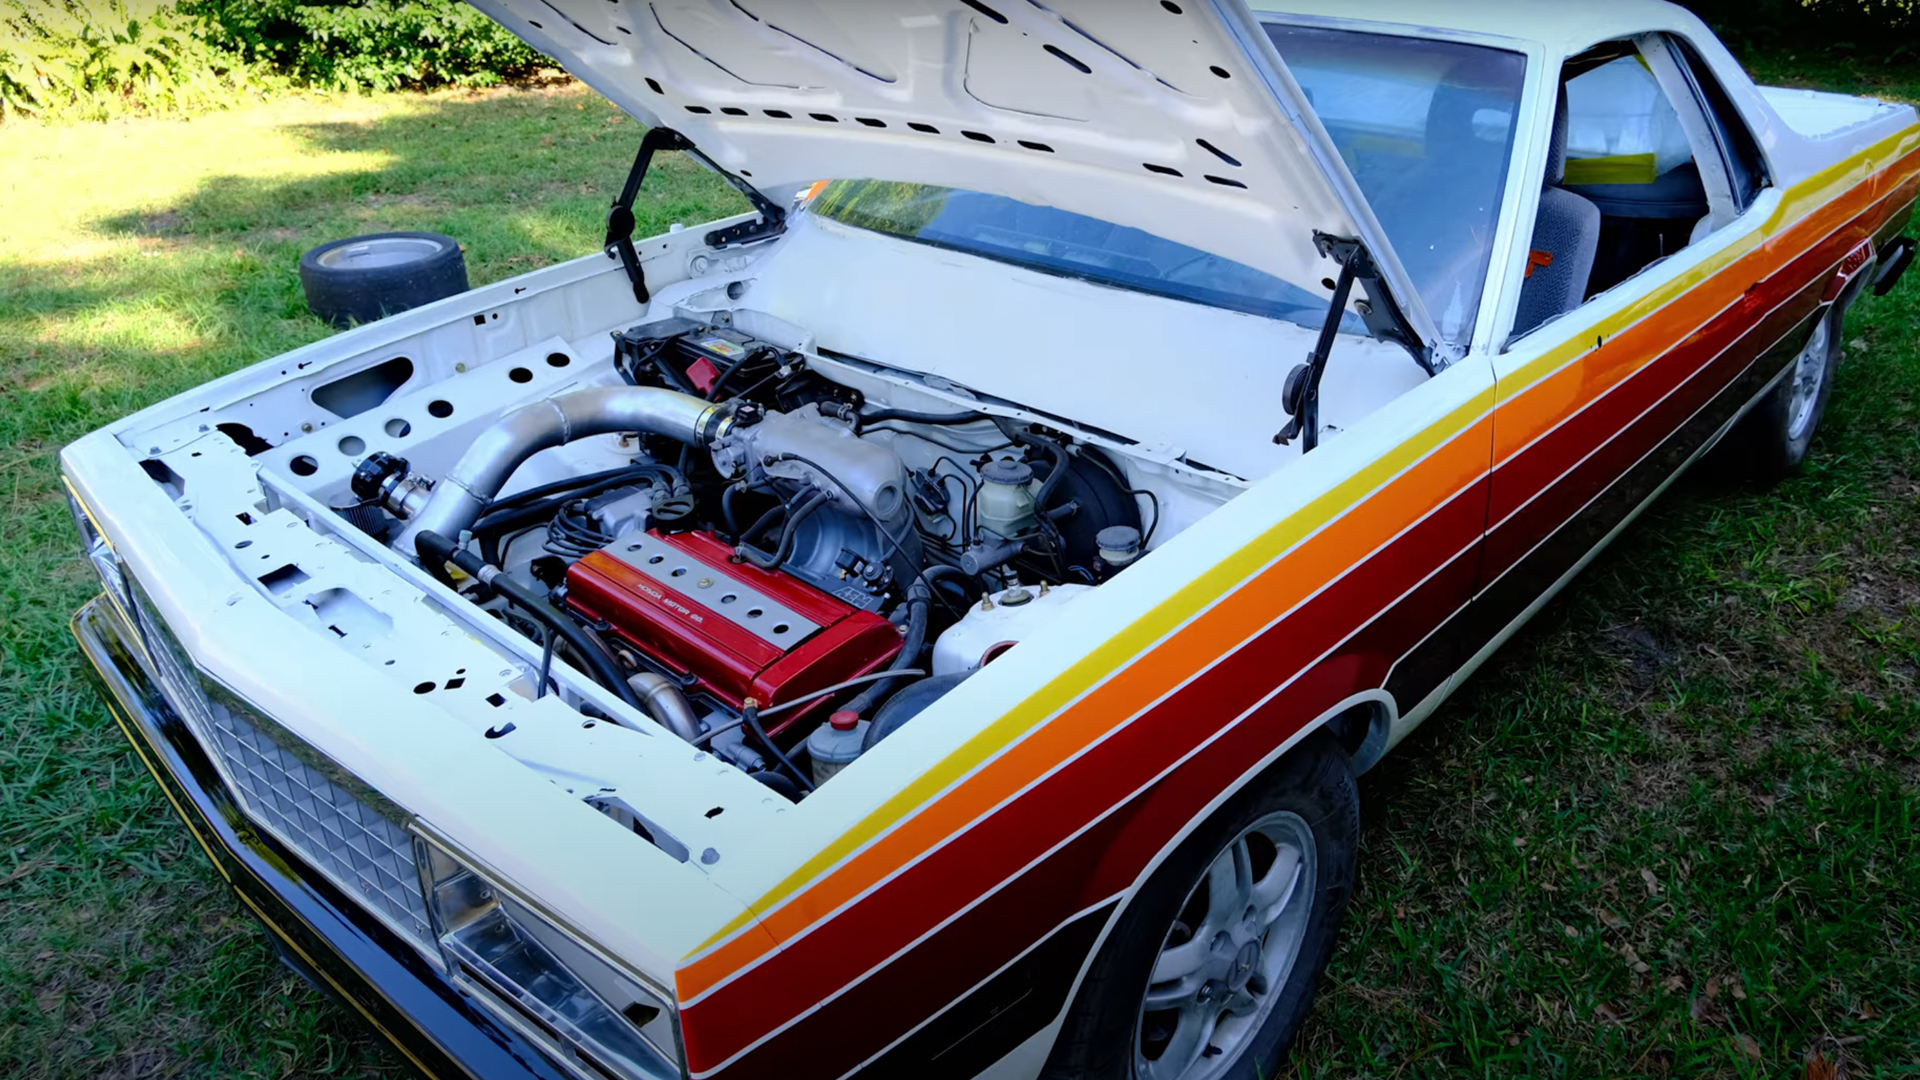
column 1214, row 966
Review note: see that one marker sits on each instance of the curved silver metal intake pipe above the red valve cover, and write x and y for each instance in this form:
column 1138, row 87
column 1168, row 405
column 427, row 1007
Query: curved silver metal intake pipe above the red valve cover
column 464, row 495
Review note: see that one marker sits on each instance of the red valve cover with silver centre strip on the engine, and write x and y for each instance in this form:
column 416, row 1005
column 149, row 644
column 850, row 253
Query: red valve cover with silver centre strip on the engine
column 738, row 631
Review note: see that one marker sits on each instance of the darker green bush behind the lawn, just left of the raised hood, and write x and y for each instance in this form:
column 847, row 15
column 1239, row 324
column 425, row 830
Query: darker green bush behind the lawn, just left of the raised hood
column 375, row 45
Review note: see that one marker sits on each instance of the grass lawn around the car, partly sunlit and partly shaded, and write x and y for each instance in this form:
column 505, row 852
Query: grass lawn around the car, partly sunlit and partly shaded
column 1675, row 829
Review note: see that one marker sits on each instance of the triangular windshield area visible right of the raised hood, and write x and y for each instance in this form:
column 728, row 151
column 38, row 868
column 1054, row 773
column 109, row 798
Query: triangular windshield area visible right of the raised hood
column 1428, row 132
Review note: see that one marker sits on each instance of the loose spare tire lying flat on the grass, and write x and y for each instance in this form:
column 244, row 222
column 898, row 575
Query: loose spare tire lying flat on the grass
column 368, row 278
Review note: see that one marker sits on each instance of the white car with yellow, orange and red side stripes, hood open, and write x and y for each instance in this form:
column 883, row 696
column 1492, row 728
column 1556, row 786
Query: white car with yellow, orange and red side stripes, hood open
column 932, row 626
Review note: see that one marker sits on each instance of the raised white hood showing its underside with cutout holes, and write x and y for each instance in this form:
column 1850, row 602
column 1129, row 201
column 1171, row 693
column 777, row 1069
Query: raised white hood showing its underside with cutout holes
column 1176, row 118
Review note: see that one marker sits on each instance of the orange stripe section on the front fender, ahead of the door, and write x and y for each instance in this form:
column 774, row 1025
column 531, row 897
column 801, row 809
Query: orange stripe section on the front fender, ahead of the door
column 1236, row 620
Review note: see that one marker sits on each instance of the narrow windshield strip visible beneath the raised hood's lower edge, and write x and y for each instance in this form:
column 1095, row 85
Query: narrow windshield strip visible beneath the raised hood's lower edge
column 1070, row 245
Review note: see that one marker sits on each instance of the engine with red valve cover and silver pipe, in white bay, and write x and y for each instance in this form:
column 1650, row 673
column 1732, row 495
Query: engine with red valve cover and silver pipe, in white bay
column 780, row 574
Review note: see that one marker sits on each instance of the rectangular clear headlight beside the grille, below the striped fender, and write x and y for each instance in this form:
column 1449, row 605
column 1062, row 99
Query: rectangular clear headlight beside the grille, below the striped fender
column 565, row 996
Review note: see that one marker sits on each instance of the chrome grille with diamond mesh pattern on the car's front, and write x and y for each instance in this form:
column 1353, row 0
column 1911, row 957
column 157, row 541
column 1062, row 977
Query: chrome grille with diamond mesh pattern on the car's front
column 287, row 789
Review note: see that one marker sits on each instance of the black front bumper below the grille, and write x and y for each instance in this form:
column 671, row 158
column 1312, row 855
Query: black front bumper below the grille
column 324, row 935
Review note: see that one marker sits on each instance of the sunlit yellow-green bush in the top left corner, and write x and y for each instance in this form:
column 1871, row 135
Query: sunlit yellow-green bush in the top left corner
column 101, row 59
